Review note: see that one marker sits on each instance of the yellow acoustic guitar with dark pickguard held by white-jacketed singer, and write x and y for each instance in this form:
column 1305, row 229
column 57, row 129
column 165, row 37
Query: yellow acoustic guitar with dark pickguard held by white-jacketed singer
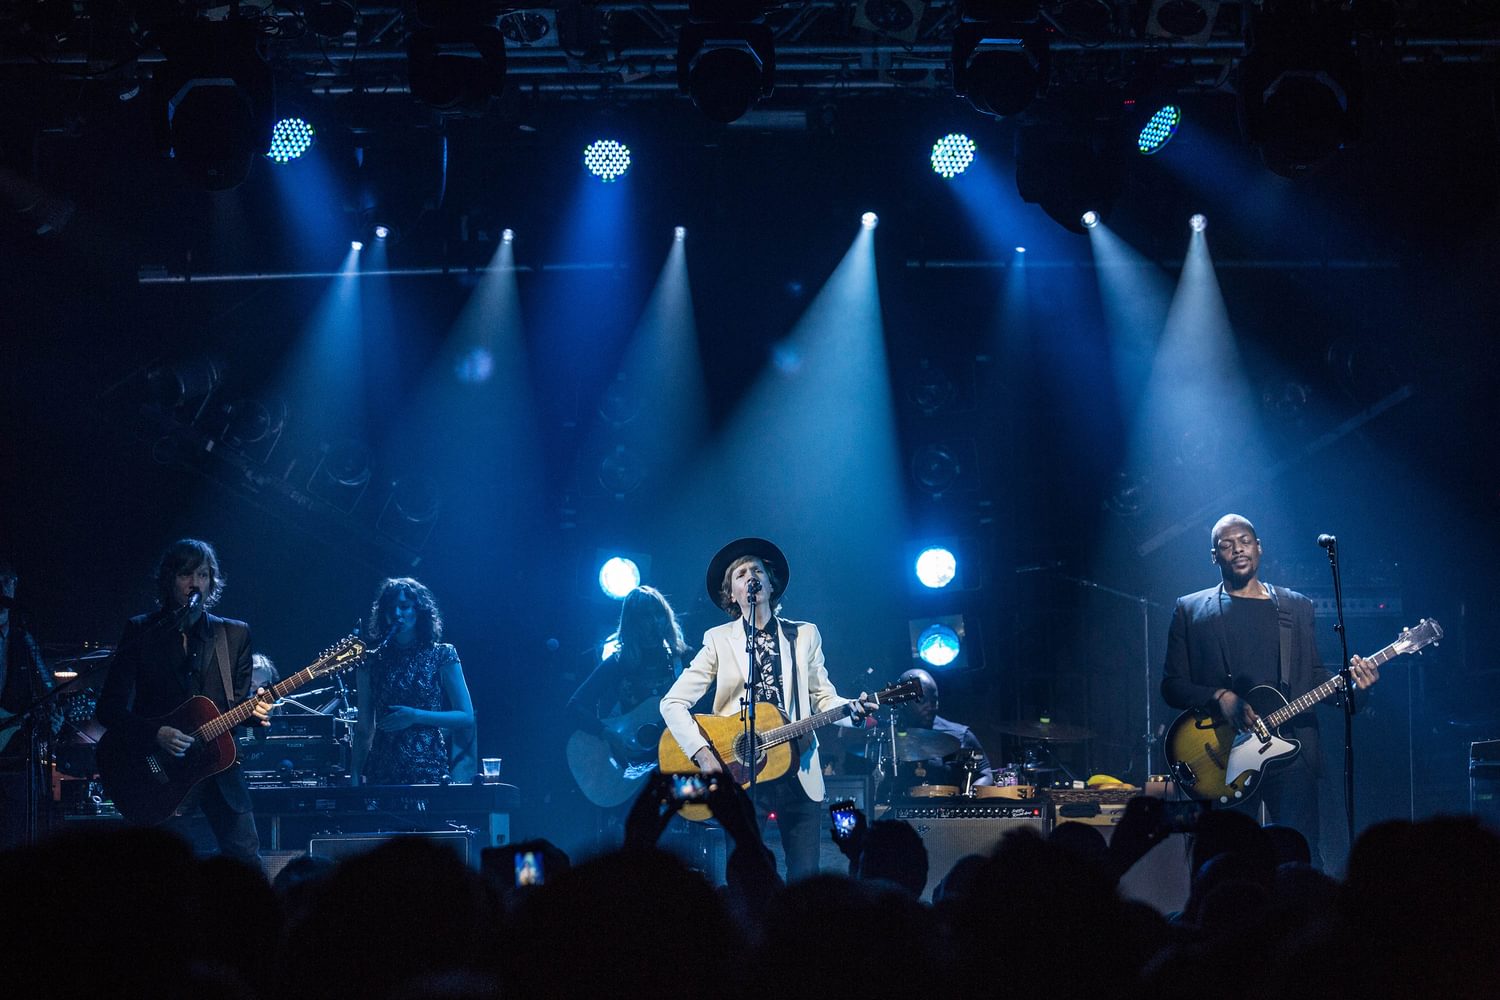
column 773, row 740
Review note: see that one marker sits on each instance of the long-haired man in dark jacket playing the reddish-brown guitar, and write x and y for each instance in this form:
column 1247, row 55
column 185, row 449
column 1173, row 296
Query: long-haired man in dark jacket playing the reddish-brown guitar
column 170, row 656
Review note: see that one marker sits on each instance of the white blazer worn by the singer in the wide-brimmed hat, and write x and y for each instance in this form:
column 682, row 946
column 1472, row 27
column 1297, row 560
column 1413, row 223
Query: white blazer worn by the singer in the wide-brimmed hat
column 724, row 660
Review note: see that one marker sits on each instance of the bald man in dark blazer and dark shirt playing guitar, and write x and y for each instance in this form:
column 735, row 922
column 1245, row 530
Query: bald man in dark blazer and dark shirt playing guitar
column 1241, row 635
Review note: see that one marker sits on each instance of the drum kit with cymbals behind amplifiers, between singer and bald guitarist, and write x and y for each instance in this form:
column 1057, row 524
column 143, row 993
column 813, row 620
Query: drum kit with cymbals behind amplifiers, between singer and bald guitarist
column 889, row 749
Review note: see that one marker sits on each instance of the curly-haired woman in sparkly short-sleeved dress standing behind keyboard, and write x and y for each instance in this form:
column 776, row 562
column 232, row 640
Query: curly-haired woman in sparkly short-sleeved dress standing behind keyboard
column 412, row 693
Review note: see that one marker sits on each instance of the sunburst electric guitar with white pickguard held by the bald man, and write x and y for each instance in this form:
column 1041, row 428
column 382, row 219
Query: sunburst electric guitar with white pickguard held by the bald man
column 1214, row 762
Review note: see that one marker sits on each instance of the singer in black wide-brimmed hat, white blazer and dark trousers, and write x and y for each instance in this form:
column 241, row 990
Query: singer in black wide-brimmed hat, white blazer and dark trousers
column 790, row 660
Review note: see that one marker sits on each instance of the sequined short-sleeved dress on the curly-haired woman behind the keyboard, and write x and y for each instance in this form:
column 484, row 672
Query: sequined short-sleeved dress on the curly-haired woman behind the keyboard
column 412, row 677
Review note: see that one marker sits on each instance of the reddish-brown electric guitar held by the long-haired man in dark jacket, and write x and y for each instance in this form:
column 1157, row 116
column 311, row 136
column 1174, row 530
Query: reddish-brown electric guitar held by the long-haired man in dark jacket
column 149, row 785
